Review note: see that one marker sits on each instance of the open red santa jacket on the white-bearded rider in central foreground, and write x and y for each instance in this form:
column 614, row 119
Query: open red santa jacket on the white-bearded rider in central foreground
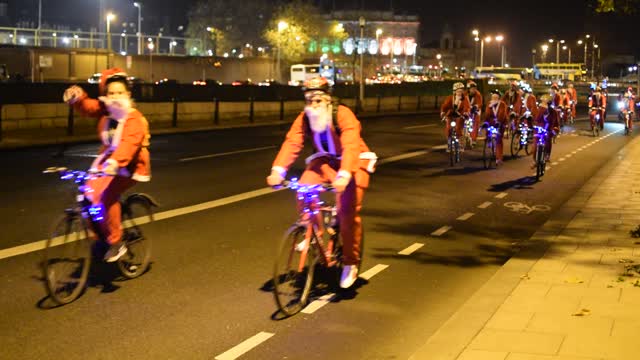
column 348, row 146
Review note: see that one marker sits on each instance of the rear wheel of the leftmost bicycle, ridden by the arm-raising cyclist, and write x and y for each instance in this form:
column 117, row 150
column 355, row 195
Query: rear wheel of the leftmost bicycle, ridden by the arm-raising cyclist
column 136, row 211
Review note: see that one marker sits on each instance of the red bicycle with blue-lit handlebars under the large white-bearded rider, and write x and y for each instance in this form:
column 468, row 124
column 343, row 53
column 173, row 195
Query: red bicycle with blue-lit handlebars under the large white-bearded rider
column 314, row 239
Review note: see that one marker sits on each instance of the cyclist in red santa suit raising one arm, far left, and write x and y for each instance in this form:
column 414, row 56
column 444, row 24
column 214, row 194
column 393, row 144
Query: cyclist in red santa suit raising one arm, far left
column 123, row 155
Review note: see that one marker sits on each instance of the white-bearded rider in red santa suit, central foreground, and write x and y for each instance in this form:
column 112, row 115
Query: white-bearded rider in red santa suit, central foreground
column 341, row 158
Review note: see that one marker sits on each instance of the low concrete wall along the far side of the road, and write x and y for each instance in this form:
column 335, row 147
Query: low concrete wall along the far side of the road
column 45, row 116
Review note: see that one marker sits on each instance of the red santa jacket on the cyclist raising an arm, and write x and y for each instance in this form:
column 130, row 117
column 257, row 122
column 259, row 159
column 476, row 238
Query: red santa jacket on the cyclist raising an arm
column 124, row 141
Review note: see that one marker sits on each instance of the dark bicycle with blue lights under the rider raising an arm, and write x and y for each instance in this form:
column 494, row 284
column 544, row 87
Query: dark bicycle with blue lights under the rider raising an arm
column 69, row 250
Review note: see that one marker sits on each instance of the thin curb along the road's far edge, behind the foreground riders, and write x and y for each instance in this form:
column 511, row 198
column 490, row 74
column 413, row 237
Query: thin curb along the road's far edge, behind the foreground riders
column 79, row 139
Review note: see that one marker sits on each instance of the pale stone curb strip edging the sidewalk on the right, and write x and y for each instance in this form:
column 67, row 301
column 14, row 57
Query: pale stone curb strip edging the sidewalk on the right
column 451, row 339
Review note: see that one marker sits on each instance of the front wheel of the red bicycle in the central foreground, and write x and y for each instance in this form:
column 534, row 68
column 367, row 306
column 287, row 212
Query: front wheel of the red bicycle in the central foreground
column 293, row 272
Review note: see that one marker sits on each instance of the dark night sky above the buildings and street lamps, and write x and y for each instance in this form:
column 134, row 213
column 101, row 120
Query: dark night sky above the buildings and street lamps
column 525, row 24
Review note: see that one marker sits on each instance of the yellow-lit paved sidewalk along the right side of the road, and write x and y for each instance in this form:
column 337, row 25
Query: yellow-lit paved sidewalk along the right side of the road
column 572, row 292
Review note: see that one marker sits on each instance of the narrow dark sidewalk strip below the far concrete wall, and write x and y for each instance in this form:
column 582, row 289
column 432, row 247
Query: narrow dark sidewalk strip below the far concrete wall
column 16, row 139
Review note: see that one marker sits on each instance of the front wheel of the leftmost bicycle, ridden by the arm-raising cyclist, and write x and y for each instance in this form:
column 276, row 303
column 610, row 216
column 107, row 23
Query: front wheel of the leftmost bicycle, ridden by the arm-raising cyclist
column 67, row 258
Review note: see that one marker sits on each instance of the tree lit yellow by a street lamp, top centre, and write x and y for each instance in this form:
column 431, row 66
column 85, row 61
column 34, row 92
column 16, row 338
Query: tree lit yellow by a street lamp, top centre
column 292, row 27
